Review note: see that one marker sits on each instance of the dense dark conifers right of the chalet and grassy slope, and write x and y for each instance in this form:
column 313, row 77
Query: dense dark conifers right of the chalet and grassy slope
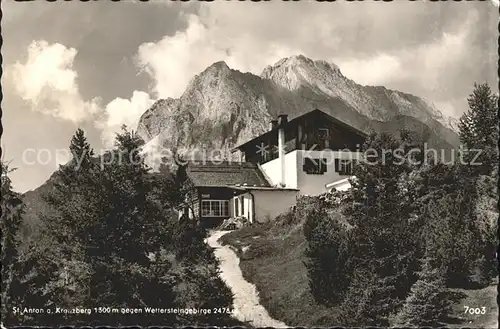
column 386, row 251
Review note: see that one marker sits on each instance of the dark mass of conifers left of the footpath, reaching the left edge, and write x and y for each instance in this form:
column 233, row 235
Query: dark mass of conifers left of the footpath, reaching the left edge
column 115, row 242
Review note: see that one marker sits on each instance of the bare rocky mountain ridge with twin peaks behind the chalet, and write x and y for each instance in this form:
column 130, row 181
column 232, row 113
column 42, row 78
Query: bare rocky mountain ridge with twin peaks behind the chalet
column 222, row 107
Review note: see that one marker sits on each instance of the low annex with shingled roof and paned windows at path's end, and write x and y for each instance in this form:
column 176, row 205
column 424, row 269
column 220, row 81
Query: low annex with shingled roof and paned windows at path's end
column 222, row 189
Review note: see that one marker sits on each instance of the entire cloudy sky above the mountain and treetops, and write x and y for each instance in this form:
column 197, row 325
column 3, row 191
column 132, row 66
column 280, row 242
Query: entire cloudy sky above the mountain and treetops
column 98, row 65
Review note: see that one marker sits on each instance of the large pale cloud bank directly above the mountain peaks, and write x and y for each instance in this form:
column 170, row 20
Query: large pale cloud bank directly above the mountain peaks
column 429, row 51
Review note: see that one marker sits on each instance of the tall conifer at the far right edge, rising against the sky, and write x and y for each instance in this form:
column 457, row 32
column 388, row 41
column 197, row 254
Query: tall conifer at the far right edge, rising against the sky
column 479, row 132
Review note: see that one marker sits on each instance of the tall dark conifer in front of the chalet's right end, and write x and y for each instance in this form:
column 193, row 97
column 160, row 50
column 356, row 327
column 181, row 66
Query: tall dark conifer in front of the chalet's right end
column 382, row 233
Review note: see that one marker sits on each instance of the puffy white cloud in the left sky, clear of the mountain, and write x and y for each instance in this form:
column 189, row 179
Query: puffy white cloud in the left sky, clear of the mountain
column 48, row 82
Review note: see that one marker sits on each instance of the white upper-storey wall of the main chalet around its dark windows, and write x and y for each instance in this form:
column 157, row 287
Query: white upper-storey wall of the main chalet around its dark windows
column 310, row 184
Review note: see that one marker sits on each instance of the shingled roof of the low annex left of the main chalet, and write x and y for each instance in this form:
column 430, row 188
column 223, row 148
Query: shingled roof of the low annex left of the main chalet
column 217, row 173
